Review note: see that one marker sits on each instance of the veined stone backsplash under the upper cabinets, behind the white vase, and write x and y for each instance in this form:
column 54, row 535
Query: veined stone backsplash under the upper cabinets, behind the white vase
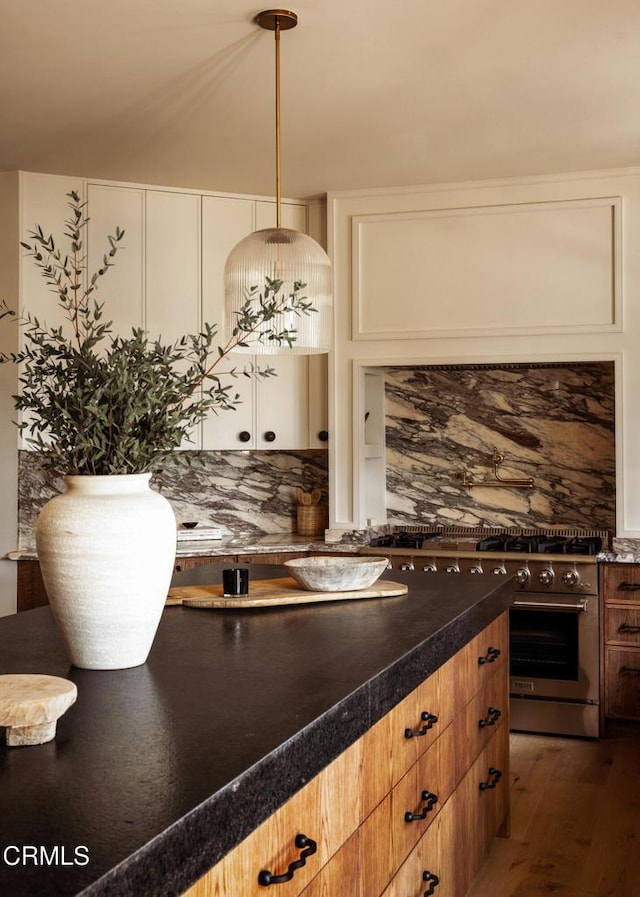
column 244, row 492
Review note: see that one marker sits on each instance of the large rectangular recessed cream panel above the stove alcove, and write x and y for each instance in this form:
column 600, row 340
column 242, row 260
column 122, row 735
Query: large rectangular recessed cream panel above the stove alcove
column 540, row 267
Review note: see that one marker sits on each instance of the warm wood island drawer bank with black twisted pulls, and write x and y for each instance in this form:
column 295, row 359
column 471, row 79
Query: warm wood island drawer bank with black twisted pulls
column 421, row 791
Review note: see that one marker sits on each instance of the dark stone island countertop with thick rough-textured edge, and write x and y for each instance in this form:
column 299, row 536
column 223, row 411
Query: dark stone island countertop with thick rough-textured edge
column 159, row 771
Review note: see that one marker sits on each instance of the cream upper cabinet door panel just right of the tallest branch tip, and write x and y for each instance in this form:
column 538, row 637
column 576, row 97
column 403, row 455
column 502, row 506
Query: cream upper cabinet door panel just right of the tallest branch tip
column 122, row 287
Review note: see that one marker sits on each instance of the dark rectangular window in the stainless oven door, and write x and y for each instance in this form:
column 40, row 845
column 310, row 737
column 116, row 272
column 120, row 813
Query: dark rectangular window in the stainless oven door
column 544, row 644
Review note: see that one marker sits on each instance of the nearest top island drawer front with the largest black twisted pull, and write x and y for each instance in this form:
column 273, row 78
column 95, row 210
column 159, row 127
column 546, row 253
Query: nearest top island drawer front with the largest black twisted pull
column 323, row 810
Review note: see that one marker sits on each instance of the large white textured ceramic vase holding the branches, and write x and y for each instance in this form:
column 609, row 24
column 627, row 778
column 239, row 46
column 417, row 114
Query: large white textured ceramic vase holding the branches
column 106, row 548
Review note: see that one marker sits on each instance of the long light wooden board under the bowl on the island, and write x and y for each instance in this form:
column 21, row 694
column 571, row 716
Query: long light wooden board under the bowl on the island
column 274, row 593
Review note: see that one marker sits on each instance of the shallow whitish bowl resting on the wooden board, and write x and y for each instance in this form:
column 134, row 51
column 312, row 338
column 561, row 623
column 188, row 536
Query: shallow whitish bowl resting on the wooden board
column 336, row 574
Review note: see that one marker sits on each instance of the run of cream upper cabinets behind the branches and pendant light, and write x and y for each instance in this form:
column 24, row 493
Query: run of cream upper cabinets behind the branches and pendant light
column 168, row 277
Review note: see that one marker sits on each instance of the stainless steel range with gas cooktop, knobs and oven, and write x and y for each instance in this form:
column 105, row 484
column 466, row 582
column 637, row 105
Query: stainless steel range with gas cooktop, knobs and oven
column 554, row 620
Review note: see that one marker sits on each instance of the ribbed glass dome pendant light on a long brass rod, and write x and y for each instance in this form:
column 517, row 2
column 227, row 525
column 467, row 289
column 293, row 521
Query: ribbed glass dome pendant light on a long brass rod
column 280, row 253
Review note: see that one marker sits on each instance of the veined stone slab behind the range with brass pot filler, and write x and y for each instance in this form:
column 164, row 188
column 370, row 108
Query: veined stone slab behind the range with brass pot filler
column 554, row 423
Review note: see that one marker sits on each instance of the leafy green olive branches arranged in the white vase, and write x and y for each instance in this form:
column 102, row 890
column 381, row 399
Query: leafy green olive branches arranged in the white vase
column 98, row 403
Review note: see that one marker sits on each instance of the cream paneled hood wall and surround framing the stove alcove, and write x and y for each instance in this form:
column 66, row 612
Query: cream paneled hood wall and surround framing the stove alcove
column 539, row 269
